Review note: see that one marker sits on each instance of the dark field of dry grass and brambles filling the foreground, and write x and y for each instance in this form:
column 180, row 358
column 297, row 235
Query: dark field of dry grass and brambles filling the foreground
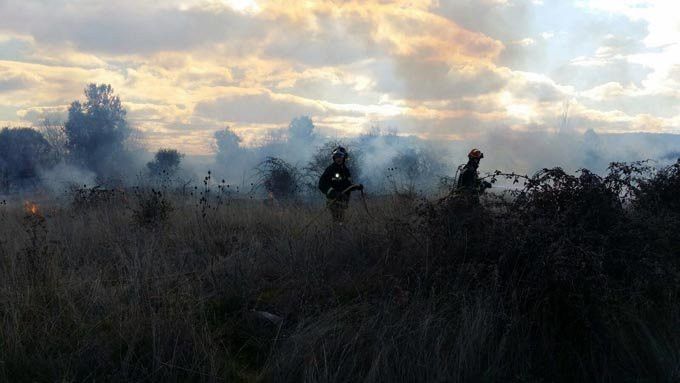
column 575, row 278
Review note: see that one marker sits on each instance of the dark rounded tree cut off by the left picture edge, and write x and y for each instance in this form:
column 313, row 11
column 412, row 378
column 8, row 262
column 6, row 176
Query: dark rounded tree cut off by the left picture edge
column 23, row 152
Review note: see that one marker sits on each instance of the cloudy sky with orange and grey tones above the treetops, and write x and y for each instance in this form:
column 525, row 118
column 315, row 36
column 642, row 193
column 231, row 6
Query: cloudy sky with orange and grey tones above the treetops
column 440, row 70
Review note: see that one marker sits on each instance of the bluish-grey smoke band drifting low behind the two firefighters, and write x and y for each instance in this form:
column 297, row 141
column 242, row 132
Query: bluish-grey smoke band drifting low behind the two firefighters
column 384, row 161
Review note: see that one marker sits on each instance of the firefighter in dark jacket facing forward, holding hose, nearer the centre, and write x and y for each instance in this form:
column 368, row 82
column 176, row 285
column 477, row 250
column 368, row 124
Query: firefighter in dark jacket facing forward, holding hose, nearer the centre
column 336, row 184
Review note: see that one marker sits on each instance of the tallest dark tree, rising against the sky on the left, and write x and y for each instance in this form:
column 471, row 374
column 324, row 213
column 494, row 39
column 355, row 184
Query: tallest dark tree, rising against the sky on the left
column 97, row 130
